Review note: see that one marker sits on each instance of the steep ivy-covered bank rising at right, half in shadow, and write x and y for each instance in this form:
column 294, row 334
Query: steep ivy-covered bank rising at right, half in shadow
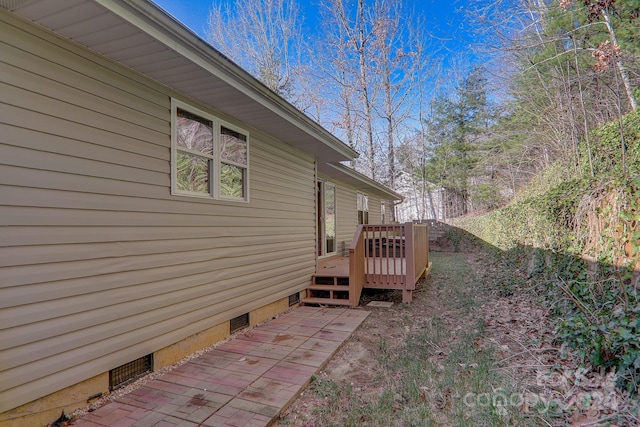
column 576, row 234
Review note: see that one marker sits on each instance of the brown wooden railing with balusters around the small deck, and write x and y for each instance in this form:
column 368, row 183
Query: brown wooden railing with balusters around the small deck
column 388, row 256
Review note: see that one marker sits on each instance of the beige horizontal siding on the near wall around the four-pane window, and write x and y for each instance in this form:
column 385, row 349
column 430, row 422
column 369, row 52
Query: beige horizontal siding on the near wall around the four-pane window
column 99, row 264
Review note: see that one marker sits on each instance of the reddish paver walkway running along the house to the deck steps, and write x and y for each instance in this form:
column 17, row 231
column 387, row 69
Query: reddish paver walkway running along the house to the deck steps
column 246, row 381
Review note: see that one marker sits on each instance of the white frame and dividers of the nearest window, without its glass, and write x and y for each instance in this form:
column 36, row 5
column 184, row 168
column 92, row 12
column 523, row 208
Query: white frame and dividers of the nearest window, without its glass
column 215, row 171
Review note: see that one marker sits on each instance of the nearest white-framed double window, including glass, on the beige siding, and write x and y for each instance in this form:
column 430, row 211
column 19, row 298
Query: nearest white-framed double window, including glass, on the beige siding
column 210, row 158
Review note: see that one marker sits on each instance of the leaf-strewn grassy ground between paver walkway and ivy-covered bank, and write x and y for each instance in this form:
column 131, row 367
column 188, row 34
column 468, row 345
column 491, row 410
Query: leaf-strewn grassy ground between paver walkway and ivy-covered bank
column 475, row 348
